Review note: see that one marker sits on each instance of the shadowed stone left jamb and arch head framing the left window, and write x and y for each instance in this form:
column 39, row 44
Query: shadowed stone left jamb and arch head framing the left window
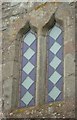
column 17, row 61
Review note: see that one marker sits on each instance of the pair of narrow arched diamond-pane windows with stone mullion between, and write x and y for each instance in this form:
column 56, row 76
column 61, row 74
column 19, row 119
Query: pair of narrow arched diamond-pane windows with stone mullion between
column 53, row 68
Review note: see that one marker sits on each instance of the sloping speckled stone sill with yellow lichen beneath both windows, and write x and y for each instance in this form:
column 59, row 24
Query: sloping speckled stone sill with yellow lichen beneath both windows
column 62, row 109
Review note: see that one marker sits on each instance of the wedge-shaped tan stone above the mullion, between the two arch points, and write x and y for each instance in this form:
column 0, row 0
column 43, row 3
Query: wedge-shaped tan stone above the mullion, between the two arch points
column 40, row 13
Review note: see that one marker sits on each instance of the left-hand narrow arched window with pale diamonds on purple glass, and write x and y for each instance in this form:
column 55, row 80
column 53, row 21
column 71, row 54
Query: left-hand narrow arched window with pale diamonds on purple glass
column 27, row 85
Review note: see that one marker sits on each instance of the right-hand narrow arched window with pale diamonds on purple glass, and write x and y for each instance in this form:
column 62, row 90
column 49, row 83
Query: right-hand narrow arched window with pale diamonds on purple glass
column 55, row 64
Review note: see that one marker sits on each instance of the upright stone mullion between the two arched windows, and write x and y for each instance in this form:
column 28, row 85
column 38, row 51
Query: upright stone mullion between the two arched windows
column 41, row 68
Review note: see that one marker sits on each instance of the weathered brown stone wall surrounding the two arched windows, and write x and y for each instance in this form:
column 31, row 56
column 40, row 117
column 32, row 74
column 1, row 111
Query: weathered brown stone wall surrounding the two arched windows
column 15, row 19
